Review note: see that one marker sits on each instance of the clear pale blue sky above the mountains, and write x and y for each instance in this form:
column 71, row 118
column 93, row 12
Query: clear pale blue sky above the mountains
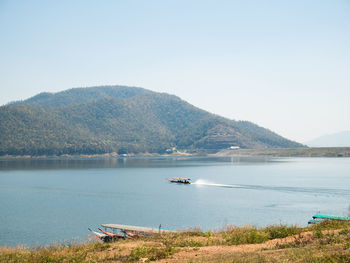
column 284, row 65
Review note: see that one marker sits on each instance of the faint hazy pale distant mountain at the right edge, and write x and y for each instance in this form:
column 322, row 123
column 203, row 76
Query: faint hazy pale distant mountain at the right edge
column 340, row 139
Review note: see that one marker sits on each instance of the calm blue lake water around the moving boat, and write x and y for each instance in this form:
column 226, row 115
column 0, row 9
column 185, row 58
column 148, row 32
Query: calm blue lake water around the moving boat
column 52, row 200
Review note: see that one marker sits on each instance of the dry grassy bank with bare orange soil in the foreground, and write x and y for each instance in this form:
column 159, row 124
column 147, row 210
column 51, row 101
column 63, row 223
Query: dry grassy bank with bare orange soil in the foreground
column 325, row 242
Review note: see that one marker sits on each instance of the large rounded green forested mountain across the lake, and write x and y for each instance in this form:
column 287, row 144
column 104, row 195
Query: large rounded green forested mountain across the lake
column 121, row 119
